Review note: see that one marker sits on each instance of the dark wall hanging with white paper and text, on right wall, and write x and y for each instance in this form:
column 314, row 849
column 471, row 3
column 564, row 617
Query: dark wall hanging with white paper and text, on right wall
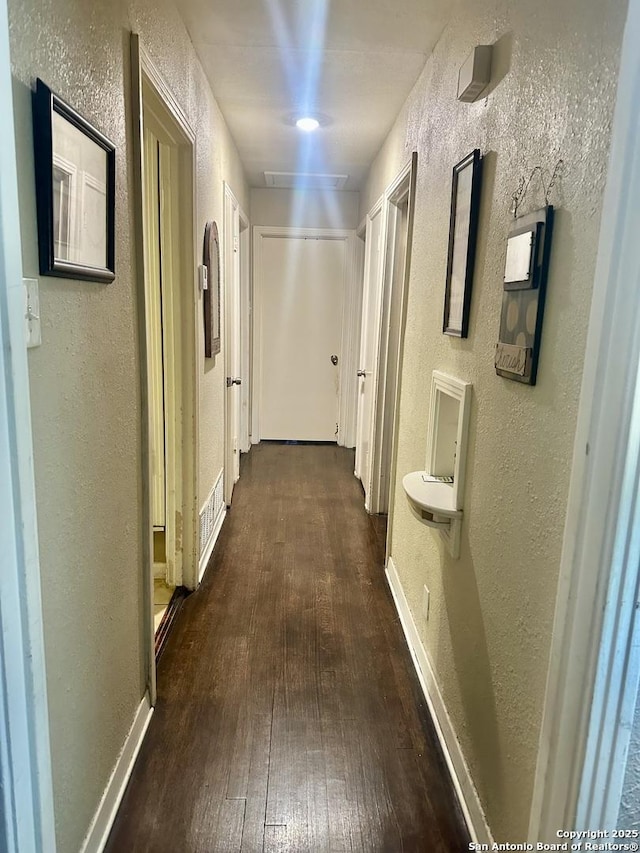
column 525, row 280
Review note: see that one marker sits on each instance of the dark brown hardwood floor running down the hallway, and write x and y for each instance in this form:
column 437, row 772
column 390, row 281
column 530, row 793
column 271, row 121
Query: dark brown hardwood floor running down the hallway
column 289, row 717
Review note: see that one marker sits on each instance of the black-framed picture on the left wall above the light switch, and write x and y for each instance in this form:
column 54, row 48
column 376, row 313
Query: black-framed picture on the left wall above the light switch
column 75, row 192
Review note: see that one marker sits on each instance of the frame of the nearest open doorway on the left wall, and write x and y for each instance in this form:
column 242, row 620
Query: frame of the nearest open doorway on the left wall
column 147, row 78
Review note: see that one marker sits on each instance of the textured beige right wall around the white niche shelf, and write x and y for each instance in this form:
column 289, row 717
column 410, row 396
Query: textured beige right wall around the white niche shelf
column 489, row 631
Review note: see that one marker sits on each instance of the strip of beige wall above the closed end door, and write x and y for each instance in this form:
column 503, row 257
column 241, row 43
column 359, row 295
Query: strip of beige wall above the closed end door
column 304, row 208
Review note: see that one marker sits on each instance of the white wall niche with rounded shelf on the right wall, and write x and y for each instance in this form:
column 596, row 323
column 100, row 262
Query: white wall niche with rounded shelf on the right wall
column 435, row 495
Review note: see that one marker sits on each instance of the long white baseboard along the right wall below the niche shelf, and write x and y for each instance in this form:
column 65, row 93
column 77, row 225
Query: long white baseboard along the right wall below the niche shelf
column 460, row 775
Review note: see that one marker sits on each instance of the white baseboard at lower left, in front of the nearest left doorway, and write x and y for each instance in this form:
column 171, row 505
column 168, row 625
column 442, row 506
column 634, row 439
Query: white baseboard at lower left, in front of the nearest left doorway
column 104, row 817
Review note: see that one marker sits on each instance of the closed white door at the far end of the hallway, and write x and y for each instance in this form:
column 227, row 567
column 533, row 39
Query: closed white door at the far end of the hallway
column 302, row 288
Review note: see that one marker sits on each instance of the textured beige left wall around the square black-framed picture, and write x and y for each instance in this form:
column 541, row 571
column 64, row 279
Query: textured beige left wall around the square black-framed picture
column 85, row 386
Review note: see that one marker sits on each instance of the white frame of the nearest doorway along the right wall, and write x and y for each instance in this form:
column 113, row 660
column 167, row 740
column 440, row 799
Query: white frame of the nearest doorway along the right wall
column 400, row 189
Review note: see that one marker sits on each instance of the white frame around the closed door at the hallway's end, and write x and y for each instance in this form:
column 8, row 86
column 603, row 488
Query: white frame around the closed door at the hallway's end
column 350, row 323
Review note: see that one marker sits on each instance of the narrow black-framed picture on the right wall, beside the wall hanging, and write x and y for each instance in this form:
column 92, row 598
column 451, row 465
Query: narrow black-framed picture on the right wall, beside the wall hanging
column 463, row 228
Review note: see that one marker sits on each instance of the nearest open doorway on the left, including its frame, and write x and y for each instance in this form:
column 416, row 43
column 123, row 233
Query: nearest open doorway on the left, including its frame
column 167, row 297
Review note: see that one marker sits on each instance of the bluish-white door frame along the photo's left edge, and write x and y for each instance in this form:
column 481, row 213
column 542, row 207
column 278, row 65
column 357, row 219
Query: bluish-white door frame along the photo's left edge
column 26, row 788
